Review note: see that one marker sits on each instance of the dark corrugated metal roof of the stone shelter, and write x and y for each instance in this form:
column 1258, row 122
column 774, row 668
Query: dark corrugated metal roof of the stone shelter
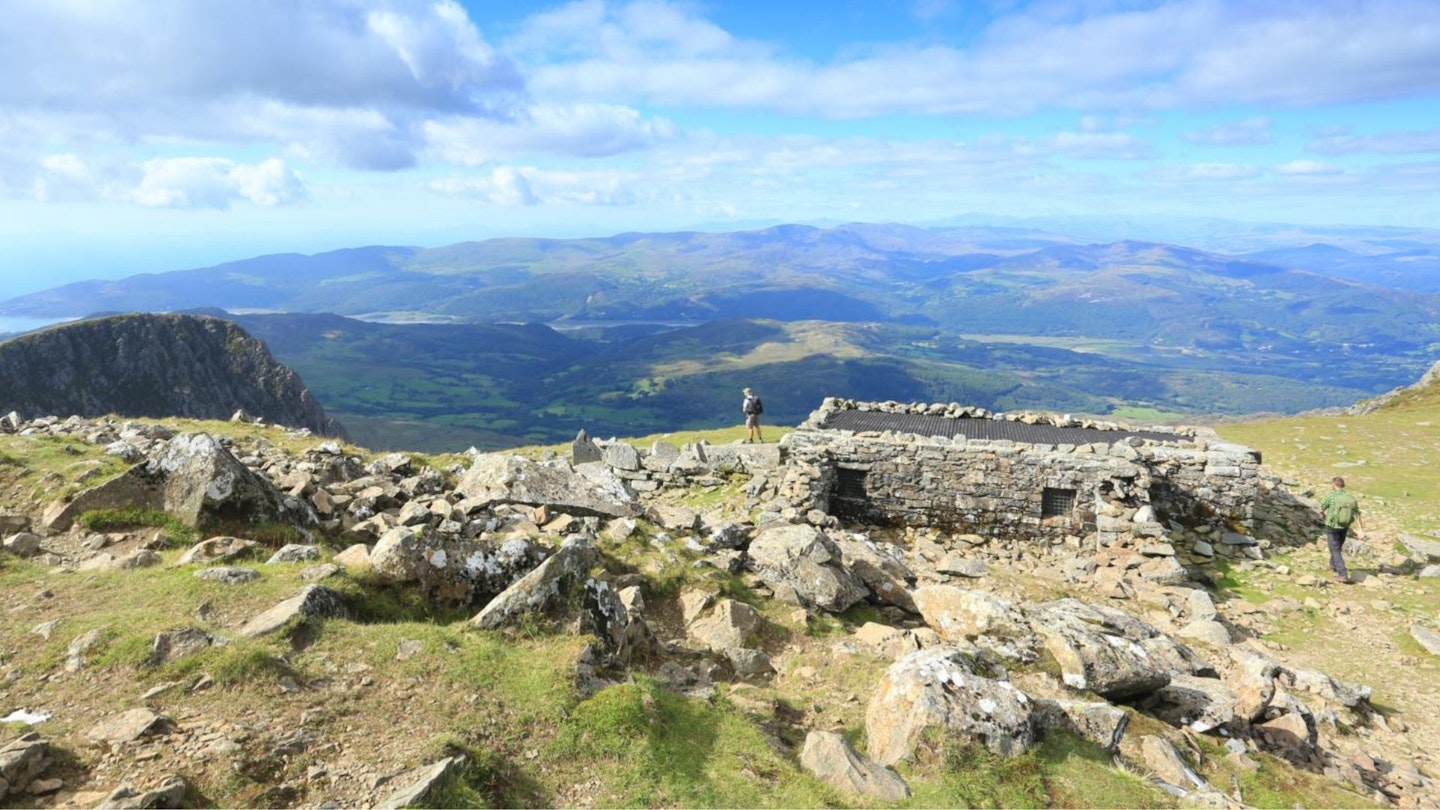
column 925, row 424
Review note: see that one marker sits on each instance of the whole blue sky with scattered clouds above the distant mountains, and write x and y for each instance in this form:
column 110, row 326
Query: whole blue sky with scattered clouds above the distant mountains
column 143, row 136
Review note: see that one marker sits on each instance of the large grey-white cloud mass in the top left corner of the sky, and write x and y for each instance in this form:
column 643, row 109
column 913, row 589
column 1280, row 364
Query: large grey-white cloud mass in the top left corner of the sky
column 346, row 81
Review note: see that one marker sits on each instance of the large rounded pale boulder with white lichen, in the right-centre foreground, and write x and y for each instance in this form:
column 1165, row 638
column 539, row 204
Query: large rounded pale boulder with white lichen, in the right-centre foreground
column 948, row 690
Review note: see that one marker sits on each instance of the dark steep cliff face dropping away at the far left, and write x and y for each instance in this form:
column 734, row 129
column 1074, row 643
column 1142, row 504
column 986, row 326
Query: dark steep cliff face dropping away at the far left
column 149, row 365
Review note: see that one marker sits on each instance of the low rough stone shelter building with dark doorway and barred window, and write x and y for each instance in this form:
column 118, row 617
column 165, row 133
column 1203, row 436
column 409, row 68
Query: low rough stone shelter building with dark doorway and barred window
column 1014, row 475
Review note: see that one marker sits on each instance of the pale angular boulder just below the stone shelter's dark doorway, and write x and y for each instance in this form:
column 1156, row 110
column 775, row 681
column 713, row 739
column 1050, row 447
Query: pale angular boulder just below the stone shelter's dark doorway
column 804, row 567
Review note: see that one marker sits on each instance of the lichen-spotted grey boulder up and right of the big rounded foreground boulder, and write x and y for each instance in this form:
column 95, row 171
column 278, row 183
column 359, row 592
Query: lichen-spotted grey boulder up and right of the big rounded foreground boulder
column 1099, row 649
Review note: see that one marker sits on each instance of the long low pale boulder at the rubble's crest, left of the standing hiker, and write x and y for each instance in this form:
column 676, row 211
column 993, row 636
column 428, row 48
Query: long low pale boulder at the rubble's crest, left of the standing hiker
column 513, row 479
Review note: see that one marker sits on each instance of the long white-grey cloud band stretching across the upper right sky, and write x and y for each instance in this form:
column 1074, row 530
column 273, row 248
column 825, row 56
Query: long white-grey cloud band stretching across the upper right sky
column 1125, row 57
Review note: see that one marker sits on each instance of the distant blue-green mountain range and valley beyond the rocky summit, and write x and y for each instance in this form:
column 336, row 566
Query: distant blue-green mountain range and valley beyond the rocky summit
column 652, row 332
